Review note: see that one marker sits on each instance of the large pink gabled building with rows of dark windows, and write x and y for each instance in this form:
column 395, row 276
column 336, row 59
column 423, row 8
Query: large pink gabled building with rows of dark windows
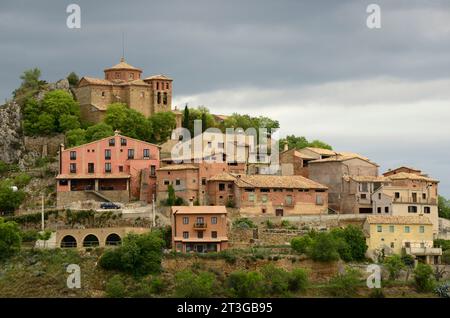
column 116, row 168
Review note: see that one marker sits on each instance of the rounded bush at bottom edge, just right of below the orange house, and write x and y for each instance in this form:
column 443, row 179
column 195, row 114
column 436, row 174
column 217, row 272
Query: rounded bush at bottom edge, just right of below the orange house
column 243, row 284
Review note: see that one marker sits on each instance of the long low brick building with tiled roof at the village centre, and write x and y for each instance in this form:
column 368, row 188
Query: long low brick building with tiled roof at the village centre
column 268, row 194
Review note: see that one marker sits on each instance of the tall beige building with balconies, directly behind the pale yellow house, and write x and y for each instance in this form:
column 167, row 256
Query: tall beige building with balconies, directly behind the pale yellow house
column 408, row 194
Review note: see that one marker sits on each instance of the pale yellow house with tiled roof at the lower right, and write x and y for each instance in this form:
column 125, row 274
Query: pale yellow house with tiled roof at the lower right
column 413, row 235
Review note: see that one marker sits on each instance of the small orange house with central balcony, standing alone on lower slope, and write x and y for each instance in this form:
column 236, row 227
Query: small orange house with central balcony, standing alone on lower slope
column 199, row 229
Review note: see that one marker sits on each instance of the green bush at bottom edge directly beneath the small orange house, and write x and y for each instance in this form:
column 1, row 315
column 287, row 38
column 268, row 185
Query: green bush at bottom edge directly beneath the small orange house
column 190, row 285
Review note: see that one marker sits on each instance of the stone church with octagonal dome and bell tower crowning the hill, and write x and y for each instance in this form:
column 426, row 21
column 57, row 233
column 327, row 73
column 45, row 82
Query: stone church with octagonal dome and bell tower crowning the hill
column 123, row 84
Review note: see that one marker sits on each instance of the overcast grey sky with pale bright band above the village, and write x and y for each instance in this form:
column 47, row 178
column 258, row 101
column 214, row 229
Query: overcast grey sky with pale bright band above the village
column 312, row 65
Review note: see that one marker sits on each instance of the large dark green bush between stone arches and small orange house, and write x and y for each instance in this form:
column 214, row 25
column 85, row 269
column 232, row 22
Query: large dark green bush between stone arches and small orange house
column 139, row 254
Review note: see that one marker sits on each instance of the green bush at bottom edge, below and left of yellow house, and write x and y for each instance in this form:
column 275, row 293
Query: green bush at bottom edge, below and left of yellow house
column 344, row 285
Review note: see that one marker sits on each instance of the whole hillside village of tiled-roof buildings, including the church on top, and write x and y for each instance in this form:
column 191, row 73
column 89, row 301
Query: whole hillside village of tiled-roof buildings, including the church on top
column 210, row 201
